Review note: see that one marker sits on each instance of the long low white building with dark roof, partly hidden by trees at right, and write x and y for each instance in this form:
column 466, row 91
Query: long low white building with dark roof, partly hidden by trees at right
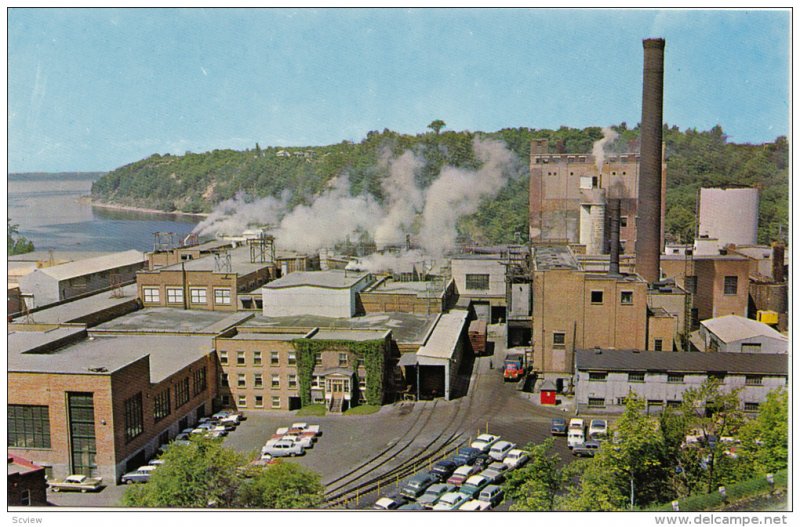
column 604, row 378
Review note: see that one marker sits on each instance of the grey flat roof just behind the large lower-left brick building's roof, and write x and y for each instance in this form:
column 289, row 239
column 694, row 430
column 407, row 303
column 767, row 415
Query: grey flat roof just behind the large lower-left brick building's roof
column 170, row 319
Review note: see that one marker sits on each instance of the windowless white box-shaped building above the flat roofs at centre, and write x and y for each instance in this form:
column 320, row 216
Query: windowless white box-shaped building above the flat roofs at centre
column 322, row 293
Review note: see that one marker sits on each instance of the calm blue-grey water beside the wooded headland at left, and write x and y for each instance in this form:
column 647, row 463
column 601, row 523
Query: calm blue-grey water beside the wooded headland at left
column 49, row 212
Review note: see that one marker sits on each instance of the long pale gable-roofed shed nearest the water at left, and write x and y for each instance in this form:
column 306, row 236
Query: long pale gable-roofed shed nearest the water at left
column 49, row 285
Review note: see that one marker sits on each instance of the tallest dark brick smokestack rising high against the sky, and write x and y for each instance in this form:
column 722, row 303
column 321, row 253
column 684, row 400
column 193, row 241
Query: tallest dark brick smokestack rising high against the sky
column 648, row 220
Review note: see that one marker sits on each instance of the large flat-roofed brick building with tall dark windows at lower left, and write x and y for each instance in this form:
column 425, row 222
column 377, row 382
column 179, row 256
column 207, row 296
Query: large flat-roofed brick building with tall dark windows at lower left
column 100, row 404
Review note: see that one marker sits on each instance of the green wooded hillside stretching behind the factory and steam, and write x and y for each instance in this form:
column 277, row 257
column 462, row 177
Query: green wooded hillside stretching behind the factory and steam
column 197, row 182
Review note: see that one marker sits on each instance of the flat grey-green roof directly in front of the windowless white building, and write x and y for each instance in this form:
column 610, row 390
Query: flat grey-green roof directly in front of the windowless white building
column 406, row 328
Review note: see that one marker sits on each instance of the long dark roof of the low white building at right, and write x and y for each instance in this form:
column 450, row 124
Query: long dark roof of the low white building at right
column 631, row 360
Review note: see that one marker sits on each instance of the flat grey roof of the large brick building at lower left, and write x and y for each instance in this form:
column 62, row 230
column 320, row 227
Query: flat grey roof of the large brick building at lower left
column 102, row 355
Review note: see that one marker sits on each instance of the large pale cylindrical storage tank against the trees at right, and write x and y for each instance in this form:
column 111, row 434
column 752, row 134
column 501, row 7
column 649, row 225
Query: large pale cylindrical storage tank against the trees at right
column 729, row 215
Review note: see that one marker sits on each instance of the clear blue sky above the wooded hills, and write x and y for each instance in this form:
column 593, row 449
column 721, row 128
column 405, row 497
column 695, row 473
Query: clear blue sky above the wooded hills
column 94, row 89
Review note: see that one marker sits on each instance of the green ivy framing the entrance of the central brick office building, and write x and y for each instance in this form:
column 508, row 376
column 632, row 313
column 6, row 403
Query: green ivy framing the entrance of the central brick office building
column 372, row 351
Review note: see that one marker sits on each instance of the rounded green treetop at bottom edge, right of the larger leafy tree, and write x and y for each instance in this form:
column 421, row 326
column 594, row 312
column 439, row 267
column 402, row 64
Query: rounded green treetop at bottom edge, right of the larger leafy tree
column 282, row 485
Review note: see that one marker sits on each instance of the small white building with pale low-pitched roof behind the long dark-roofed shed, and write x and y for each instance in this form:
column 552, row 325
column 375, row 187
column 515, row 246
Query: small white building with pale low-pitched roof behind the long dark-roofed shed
column 735, row 334
